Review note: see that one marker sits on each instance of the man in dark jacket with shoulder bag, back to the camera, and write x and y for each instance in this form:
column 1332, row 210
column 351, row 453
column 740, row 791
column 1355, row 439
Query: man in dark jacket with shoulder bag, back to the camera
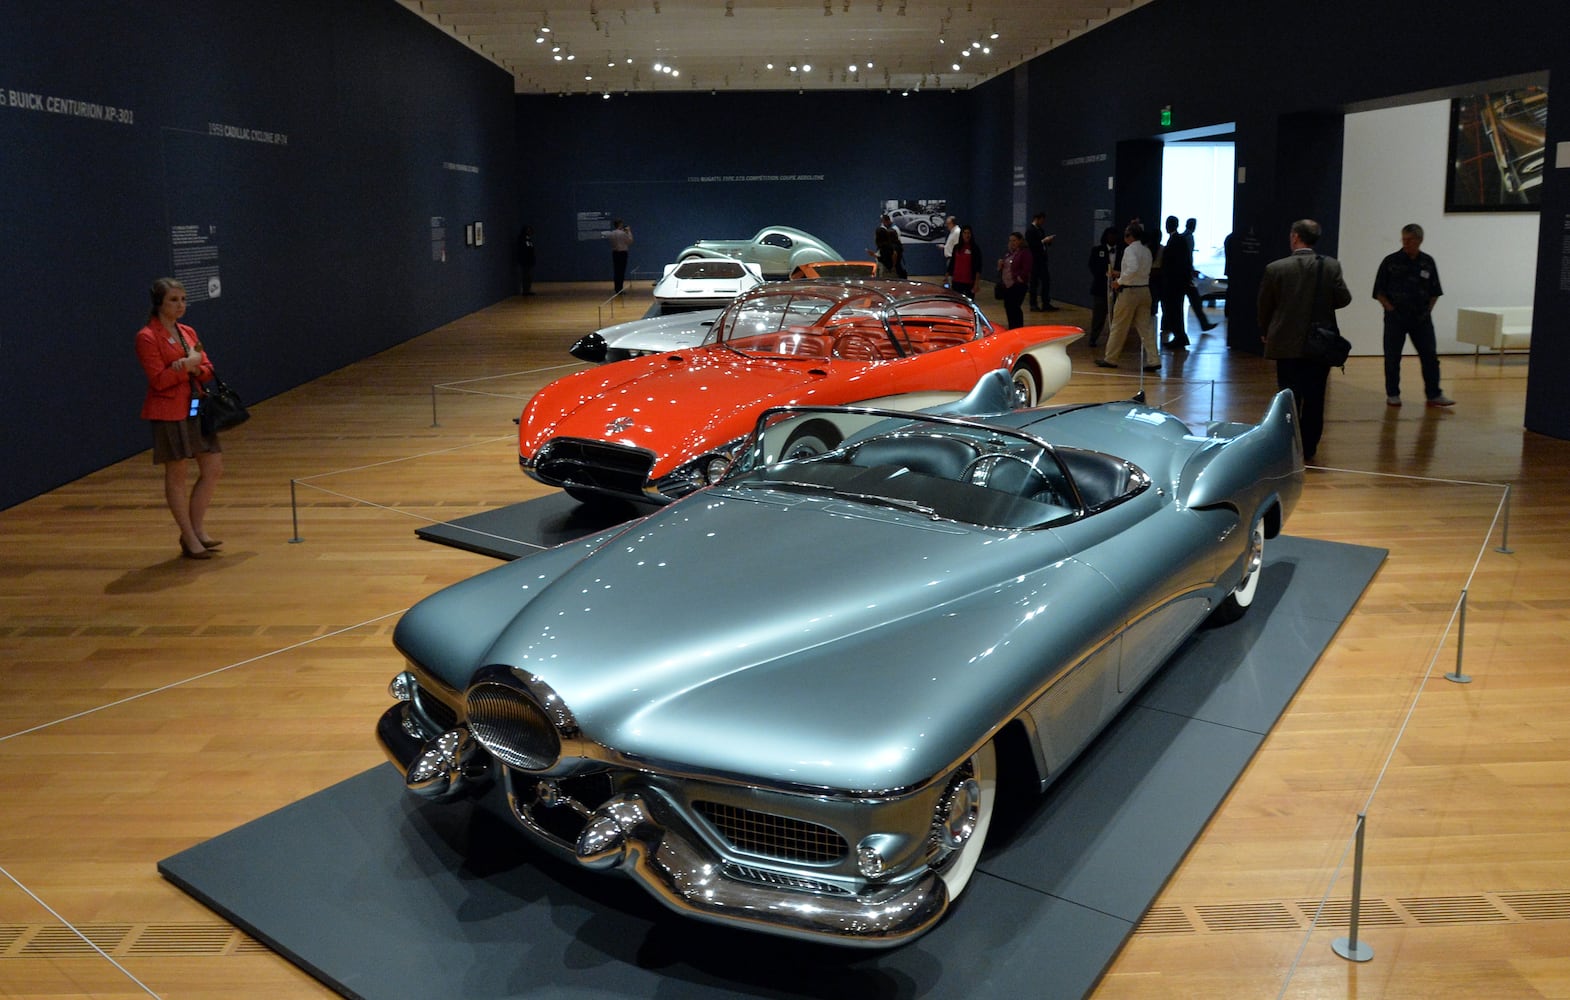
column 1294, row 293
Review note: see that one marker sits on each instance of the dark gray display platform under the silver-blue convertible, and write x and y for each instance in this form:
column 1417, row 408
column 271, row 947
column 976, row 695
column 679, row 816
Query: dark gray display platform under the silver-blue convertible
column 382, row 897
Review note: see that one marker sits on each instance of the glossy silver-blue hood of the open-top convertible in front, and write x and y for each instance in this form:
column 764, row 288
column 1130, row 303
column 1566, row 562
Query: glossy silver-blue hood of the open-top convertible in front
column 855, row 648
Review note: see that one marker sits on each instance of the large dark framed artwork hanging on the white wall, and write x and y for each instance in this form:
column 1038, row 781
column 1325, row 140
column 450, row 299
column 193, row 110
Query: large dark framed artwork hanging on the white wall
column 1497, row 151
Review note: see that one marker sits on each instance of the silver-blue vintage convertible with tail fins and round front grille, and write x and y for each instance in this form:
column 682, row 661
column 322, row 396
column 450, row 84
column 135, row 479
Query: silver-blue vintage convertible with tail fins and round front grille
column 822, row 666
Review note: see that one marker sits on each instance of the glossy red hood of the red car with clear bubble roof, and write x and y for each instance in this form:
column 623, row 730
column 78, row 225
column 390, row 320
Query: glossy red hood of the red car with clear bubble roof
column 649, row 403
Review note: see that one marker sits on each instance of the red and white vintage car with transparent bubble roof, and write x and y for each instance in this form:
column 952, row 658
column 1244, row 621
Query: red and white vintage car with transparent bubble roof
column 660, row 426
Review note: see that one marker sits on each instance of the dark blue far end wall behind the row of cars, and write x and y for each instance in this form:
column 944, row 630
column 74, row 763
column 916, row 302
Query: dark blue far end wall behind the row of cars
column 688, row 167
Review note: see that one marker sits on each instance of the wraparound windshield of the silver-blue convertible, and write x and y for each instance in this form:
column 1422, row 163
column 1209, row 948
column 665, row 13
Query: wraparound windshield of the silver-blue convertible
column 941, row 469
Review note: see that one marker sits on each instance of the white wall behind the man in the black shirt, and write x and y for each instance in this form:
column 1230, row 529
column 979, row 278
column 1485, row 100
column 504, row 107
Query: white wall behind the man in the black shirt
column 1393, row 173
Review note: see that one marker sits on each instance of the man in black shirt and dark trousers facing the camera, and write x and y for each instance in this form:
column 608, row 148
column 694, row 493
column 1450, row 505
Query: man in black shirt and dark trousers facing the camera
column 1408, row 286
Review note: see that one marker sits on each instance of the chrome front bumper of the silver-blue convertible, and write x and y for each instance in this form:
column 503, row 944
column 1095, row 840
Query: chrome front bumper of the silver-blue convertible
column 643, row 838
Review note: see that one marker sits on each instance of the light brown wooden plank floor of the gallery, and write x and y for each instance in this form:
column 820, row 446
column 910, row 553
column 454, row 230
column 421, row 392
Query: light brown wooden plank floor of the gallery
column 150, row 703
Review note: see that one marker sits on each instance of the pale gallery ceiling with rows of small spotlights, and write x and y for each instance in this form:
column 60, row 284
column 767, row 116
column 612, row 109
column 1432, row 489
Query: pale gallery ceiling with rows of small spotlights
column 596, row 48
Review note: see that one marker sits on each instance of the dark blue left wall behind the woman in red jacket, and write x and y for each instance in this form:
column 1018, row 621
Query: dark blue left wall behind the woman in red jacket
column 376, row 125
